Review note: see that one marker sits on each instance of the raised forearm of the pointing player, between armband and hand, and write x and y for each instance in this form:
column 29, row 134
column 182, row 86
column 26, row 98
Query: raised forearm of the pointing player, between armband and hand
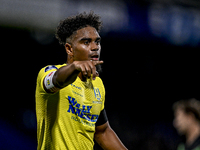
column 65, row 75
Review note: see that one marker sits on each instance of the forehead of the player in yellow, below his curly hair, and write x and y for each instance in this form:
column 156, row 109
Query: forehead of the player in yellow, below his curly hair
column 87, row 32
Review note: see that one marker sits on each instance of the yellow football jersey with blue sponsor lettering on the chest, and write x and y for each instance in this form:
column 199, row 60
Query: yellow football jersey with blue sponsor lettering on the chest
column 66, row 119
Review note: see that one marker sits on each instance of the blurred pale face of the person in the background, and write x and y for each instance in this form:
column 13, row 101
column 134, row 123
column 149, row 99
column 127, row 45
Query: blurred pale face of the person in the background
column 181, row 121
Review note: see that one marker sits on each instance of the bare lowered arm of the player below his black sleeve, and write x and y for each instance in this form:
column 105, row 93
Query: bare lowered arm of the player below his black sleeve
column 108, row 140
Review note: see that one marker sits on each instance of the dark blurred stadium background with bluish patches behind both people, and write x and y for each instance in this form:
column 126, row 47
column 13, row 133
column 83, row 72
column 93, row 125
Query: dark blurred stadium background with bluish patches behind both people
column 150, row 52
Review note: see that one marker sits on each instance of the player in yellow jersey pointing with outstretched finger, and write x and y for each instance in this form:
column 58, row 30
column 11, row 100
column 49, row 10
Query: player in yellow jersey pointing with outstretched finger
column 70, row 97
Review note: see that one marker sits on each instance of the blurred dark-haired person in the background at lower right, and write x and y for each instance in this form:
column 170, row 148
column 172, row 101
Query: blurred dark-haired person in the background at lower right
column 187, row 123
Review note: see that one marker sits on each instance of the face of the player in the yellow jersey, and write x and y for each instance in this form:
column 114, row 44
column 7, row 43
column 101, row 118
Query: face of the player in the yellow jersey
column 85, row 45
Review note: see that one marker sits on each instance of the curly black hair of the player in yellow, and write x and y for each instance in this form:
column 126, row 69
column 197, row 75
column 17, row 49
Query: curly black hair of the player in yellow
column 69, row 25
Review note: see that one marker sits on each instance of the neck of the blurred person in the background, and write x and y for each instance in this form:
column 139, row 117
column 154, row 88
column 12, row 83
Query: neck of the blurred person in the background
column 193, row 134
